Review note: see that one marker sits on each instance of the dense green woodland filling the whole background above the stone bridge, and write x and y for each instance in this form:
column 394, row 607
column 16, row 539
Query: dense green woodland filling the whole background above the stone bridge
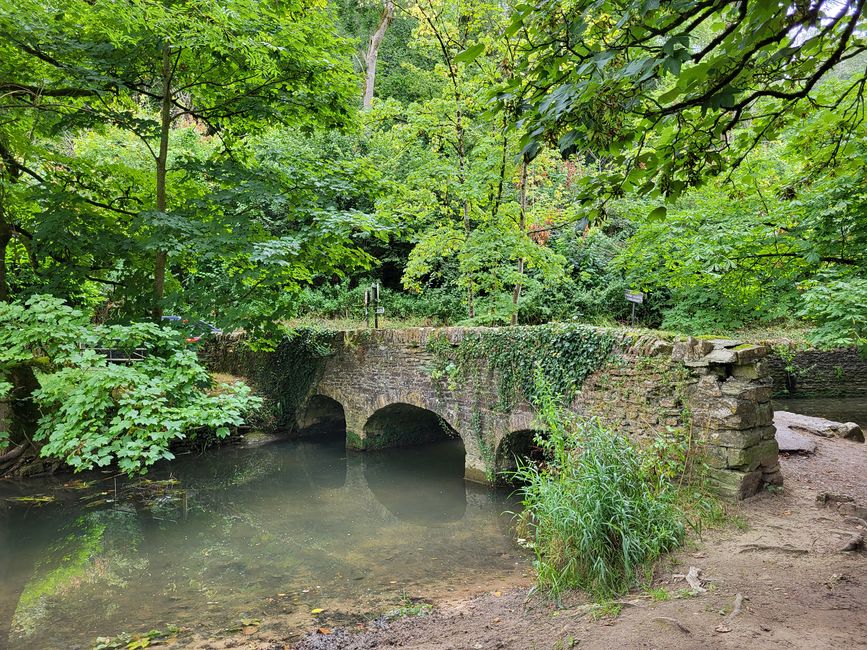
column 489, row 163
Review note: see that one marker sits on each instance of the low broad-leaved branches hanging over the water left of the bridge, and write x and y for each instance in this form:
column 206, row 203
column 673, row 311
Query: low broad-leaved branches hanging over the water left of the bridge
column 95, row 412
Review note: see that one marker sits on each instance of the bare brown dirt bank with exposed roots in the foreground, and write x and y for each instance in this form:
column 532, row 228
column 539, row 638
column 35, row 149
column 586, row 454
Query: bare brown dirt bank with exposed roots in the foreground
column 796, row 588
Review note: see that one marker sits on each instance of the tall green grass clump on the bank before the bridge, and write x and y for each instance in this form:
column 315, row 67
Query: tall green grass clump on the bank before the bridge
column 596, row 519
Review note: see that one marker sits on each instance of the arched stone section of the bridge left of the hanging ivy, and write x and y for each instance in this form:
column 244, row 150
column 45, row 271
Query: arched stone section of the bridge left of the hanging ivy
column 380, row 384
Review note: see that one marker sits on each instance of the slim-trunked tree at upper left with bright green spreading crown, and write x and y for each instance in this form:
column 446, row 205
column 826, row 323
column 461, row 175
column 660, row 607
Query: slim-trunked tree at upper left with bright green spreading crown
column 153, row 66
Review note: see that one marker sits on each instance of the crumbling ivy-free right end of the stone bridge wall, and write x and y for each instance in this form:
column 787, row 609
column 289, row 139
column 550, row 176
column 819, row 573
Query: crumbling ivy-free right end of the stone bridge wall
column 719, row 391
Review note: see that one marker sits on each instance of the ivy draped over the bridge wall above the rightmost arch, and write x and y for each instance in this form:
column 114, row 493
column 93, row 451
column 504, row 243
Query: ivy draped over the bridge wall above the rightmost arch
column 565, row 353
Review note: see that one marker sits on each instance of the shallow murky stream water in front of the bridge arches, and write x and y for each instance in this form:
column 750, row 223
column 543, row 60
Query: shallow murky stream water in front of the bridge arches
column 244, row 533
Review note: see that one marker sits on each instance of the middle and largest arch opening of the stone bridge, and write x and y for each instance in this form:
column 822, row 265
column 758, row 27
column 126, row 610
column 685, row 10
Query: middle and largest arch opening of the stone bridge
column 403, row 425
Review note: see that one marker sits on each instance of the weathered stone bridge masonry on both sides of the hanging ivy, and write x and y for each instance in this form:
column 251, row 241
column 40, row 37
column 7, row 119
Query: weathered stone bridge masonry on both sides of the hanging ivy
column 379, row 385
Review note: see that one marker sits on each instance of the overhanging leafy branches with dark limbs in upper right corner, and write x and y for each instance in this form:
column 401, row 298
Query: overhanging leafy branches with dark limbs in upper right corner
column 673, row 92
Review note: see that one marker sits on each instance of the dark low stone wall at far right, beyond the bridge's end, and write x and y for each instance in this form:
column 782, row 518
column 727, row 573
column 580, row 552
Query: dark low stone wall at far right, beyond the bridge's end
column 819, row 373
